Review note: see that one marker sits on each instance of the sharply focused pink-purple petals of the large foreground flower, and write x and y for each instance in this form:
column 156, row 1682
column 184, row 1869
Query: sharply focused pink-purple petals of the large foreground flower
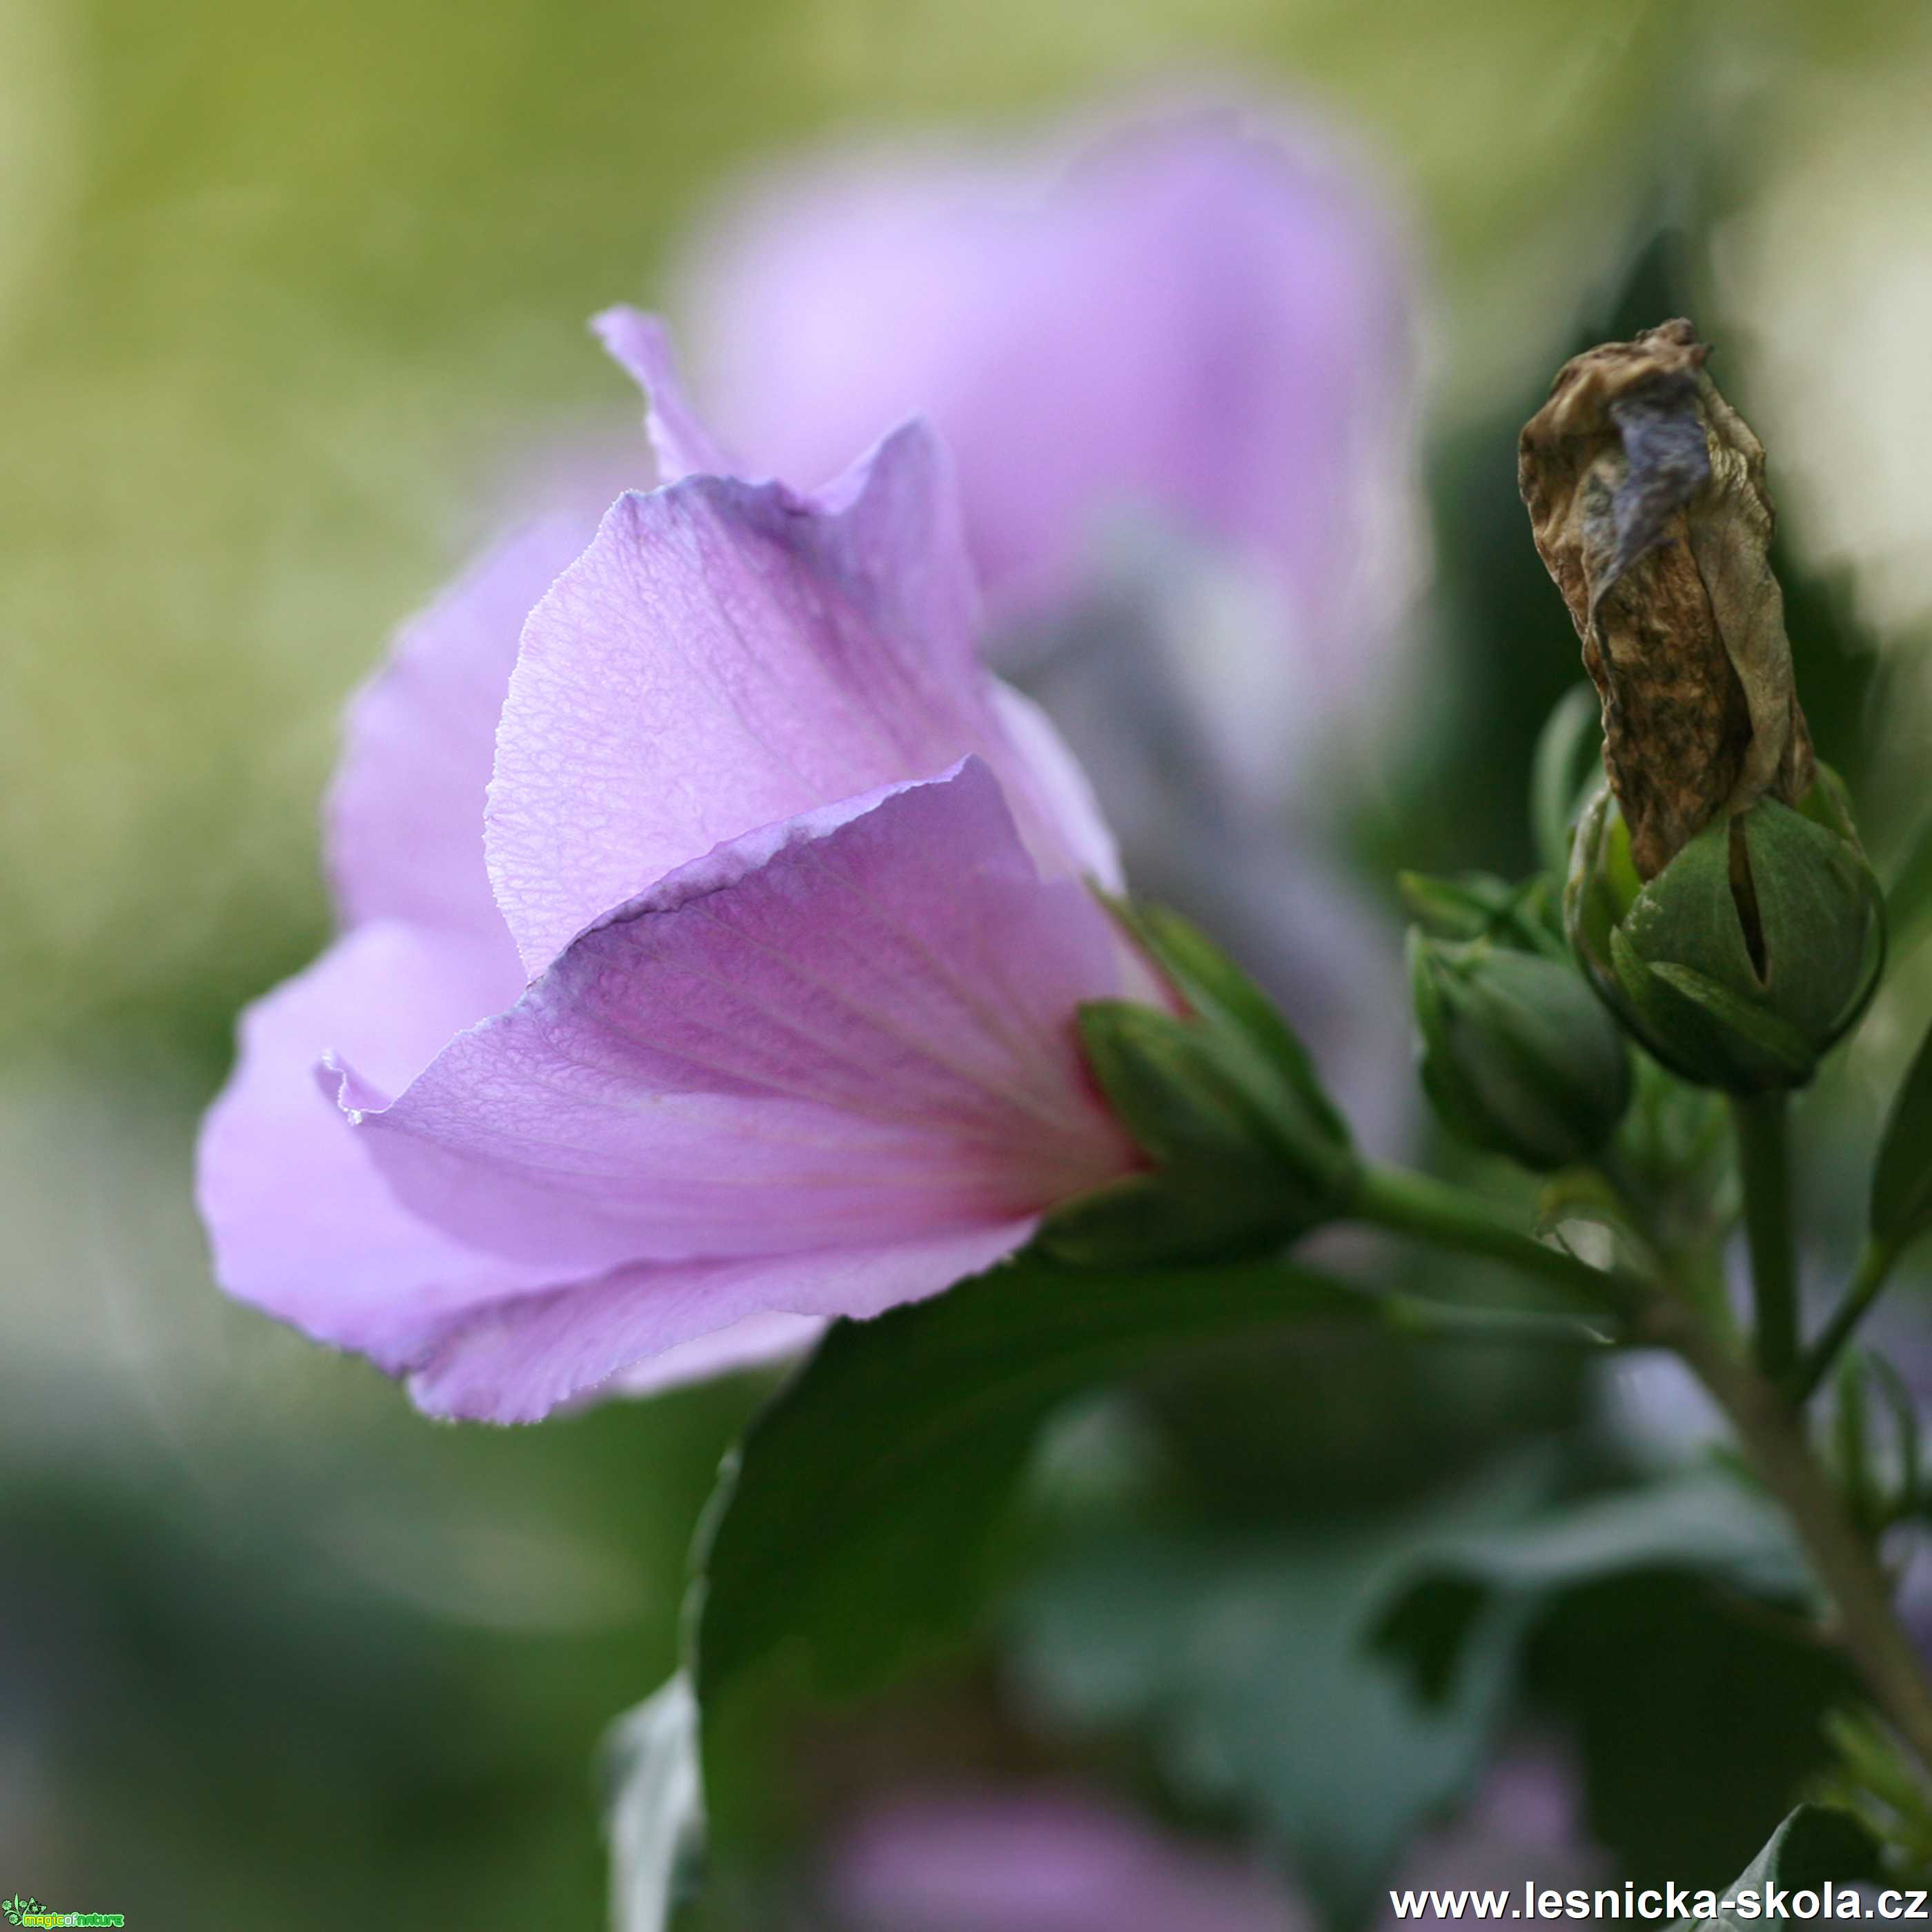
column 801, row 897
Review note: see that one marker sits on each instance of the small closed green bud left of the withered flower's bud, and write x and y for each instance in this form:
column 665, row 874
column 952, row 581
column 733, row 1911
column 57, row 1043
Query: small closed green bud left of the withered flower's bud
column 1518, row 1056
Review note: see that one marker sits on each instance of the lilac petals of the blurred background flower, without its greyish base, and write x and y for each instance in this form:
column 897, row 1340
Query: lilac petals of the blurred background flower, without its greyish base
column 1183, row 318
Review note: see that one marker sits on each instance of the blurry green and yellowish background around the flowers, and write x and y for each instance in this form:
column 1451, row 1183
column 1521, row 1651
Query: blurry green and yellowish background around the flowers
column 289, row 300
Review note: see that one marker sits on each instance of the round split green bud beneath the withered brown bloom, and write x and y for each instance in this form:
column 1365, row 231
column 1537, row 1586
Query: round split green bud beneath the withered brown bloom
column 1749, row 955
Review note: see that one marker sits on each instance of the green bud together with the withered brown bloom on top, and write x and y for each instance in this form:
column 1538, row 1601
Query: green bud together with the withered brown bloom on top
column 1719, row 899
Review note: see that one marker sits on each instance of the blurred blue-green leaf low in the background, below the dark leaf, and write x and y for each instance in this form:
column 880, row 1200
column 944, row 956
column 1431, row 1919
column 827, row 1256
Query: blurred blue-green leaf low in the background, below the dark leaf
column 1245, row 1659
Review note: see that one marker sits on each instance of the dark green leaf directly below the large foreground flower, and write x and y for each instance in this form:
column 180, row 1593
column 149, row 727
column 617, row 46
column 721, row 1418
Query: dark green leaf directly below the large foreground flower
column 857, row 1527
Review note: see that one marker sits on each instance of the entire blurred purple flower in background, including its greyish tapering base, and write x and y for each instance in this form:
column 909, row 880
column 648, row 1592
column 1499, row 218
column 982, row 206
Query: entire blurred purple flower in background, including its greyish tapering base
column 1174, row 360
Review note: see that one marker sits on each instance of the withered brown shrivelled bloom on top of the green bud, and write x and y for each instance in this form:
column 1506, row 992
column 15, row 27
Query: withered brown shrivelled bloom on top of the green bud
column 1647, row 497
